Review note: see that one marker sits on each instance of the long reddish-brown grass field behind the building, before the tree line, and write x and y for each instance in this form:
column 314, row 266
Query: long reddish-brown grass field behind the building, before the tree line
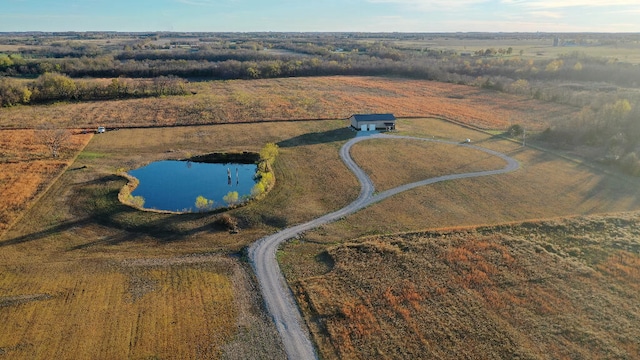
column 298, row 98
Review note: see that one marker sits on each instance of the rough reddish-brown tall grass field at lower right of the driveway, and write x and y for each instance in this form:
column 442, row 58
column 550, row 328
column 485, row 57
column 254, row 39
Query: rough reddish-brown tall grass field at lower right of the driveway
column 489, row 294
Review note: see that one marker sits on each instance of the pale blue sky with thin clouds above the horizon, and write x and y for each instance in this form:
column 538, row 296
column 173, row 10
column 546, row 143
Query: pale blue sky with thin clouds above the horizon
column 321, row 15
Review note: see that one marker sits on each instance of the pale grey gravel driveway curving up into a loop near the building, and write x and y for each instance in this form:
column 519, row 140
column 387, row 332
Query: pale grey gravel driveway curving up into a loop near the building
column 262, row 254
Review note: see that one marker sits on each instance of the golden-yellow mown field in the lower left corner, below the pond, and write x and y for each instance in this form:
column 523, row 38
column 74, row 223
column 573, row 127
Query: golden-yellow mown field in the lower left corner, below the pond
column 183, row 308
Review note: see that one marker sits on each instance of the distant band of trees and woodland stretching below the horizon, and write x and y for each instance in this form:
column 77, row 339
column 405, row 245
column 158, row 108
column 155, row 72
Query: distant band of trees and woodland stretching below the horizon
column 44, row 67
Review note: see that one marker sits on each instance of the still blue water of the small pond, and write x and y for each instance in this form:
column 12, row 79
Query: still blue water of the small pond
column 174, row 185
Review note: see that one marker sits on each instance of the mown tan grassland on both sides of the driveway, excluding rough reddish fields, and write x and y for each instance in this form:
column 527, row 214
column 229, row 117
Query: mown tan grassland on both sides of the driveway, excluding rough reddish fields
column 80, row 255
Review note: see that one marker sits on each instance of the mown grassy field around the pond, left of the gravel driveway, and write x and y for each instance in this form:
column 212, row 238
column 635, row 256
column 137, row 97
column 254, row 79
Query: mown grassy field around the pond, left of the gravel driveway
column 132, row 284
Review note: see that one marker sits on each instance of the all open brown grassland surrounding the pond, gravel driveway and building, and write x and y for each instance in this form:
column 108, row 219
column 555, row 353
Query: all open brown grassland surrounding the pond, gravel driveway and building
column 124, row 276
